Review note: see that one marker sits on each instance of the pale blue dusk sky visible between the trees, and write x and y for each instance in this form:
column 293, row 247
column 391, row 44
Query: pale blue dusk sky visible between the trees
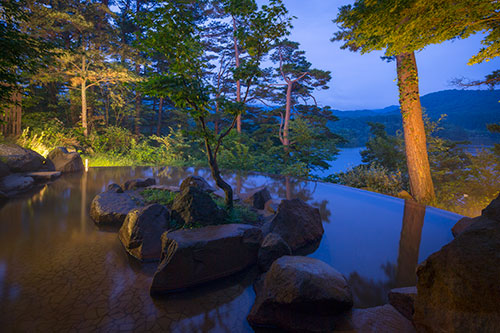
column 366, row 81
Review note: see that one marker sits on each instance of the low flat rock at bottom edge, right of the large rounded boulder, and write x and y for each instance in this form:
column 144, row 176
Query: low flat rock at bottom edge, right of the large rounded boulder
column 383, row 318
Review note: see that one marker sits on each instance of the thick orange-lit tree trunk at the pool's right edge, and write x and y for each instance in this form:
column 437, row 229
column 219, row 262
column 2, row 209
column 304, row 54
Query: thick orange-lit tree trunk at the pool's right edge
column 417, row 159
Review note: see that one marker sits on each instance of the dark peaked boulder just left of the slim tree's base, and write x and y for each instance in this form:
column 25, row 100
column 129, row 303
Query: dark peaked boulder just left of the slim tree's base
column 195, row 207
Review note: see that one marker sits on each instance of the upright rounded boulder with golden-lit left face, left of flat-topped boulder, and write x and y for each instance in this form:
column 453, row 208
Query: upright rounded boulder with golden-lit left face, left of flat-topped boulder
column 141, row 231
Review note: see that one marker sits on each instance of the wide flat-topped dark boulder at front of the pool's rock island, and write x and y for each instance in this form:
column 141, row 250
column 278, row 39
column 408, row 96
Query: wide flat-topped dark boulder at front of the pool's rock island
column 193, row 257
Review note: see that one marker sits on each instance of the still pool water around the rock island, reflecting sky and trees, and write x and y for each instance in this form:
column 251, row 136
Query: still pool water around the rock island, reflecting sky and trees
column 59, row 272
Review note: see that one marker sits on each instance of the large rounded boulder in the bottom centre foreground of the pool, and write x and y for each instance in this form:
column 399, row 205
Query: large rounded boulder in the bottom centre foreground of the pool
column 301, row 294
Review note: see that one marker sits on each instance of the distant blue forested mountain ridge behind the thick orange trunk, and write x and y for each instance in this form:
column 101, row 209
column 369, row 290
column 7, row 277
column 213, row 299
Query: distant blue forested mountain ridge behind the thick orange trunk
column 468, row 112
